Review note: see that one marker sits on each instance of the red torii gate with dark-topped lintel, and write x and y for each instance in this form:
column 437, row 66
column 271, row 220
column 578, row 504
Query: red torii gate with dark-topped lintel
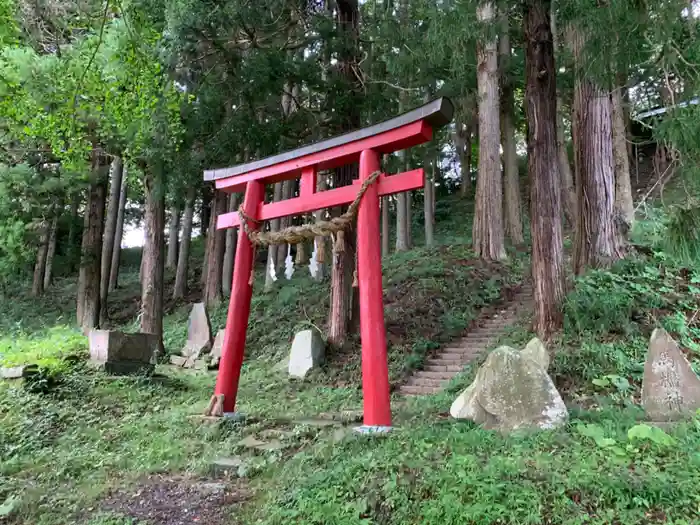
column 366, row 146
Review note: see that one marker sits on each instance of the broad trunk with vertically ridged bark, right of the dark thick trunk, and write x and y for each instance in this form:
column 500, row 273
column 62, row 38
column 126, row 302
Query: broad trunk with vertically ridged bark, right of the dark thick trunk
column 598, row 243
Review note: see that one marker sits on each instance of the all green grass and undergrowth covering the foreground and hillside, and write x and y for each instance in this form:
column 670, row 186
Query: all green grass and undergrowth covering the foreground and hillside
column 65, row 445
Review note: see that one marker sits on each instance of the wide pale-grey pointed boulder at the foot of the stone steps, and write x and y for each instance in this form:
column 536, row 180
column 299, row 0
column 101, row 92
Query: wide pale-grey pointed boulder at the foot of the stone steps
column 512, row 390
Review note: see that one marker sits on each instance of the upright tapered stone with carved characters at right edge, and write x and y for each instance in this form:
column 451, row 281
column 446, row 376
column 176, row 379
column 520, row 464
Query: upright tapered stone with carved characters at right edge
column 670, row 388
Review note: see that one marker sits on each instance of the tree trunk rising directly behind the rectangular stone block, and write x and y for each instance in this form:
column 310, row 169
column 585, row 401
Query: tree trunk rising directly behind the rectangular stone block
column 153, row 255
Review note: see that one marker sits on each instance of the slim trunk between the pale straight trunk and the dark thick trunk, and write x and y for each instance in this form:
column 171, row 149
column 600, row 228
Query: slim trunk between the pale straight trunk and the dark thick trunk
column 513, row 207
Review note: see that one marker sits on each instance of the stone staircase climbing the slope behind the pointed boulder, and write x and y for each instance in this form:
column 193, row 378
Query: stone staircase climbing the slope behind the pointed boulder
column 440, row 369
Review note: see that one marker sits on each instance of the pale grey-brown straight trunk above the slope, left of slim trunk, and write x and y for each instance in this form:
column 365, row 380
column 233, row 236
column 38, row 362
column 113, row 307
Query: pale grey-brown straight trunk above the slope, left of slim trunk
column 488, row 217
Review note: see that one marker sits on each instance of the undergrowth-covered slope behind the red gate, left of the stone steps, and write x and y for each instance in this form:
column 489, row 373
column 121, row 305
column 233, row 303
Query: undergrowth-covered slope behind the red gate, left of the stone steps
column 430, row 297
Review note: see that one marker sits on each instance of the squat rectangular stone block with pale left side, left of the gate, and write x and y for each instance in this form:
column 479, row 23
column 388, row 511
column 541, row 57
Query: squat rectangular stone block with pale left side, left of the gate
column 122, row 354
